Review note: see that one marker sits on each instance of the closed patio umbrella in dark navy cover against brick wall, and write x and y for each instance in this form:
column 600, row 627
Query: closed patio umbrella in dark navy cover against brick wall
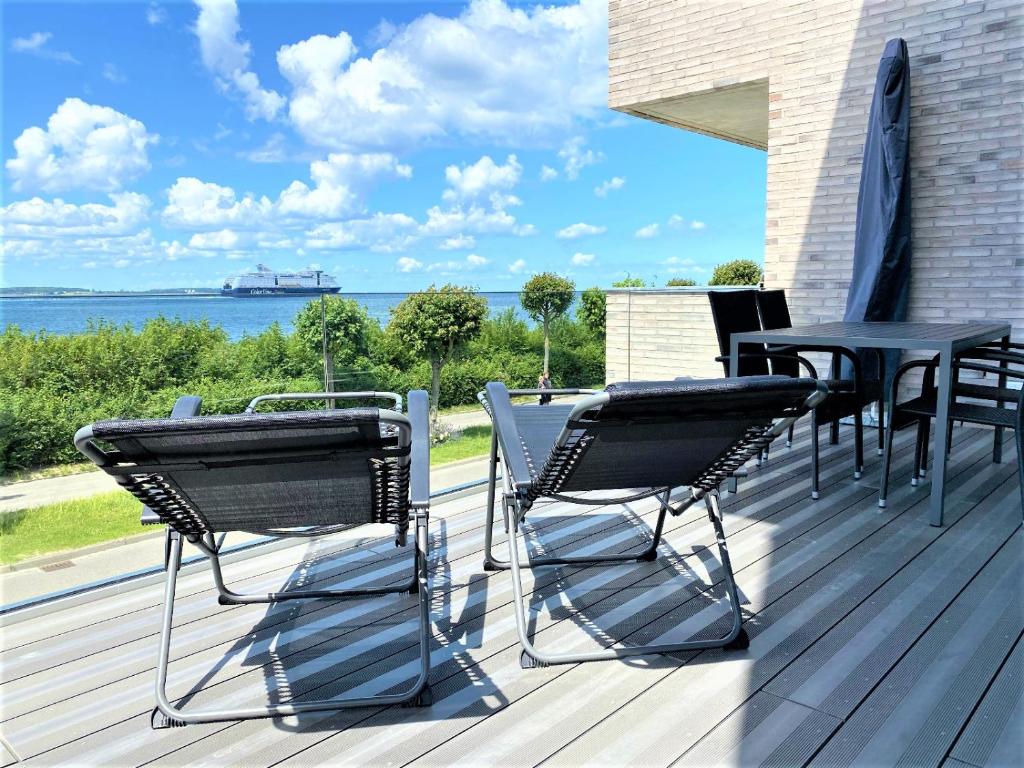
column 882, row 247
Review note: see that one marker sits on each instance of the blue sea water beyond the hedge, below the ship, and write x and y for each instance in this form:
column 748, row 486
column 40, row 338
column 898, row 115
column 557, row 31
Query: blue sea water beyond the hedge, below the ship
column 239, row 317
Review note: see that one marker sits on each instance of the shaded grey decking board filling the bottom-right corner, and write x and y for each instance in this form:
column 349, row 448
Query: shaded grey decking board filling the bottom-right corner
column 995, row 735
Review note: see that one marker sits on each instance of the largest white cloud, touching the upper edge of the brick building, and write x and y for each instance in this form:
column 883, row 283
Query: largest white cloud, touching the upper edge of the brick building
column 493, row 73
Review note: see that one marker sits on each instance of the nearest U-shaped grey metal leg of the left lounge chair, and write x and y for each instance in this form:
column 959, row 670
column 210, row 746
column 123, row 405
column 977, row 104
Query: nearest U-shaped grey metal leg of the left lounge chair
column 167, row 715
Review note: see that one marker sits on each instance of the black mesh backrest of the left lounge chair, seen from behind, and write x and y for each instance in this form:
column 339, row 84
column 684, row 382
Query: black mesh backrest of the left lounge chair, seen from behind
column 261, row 473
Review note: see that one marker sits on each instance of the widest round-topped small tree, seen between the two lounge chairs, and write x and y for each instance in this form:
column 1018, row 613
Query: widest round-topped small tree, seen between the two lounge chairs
column 435, row 324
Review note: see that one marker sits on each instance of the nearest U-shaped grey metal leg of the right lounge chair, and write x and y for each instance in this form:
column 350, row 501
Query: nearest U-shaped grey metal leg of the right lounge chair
column 737, row 637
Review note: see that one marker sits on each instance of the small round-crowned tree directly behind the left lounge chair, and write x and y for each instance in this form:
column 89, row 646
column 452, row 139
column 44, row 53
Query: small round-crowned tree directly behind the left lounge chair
column 349, row 331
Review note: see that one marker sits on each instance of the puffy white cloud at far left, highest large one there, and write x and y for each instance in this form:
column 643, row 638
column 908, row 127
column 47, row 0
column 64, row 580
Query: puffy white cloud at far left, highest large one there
column 82, row 147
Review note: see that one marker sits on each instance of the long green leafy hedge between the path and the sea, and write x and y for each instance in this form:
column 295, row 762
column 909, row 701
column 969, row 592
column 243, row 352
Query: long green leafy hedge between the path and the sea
column 52, row 386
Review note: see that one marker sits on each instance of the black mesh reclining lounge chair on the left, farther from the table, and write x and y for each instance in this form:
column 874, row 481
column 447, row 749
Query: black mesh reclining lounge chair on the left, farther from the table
column 284, row 475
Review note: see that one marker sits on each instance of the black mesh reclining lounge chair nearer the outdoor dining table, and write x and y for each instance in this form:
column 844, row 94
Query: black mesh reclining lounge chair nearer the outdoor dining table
column 647, row 439
